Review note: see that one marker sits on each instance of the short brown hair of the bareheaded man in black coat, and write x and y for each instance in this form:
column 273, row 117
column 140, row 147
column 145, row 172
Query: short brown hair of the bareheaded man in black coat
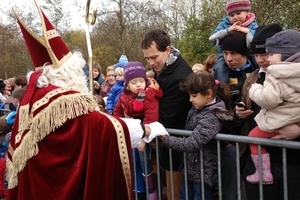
column 158, row 36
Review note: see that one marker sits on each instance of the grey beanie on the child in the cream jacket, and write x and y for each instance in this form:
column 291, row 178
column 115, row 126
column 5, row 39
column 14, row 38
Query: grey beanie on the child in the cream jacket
column 286, row 42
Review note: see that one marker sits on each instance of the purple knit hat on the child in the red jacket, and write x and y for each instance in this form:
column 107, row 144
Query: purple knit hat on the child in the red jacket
column 133, row 70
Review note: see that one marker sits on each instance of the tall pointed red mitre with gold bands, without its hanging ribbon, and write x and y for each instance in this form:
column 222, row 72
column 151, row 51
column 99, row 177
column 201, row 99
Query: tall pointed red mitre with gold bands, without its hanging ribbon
column 49, row 49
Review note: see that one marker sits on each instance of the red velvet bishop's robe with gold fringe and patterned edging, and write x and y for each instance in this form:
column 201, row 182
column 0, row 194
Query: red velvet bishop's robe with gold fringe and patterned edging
column 62, row 148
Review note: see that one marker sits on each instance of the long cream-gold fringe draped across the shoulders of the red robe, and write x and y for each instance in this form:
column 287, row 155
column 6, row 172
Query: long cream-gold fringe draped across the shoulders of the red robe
column 42, row 124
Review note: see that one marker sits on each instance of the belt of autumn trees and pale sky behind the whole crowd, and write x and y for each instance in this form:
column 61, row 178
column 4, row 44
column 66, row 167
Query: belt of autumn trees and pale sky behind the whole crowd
column 121, row 25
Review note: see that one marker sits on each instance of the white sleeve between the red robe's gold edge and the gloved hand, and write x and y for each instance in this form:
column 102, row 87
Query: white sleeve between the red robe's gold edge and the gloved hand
column 135, row 130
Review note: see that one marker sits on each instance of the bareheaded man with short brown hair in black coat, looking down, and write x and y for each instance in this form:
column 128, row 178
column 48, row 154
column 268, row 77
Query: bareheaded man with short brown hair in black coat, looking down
column 170, row 68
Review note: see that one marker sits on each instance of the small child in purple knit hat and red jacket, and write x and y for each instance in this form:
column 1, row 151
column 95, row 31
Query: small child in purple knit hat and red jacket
column 141, row 101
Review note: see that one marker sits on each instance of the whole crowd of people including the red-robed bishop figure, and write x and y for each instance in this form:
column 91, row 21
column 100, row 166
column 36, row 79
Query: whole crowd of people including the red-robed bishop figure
column 67, row 142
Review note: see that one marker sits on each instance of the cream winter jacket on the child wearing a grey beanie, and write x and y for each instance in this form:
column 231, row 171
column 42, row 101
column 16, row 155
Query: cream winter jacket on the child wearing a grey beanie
column 279, row 97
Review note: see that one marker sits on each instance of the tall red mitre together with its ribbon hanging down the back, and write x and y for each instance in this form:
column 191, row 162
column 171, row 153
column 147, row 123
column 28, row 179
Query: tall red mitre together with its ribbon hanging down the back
column 48, row 50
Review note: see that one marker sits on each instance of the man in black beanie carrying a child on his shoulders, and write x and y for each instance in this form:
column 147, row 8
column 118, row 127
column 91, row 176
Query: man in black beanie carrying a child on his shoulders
column 241, row 64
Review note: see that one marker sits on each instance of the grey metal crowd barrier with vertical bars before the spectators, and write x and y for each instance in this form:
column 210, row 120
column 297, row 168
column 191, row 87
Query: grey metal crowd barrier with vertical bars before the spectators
column 283, row 144
